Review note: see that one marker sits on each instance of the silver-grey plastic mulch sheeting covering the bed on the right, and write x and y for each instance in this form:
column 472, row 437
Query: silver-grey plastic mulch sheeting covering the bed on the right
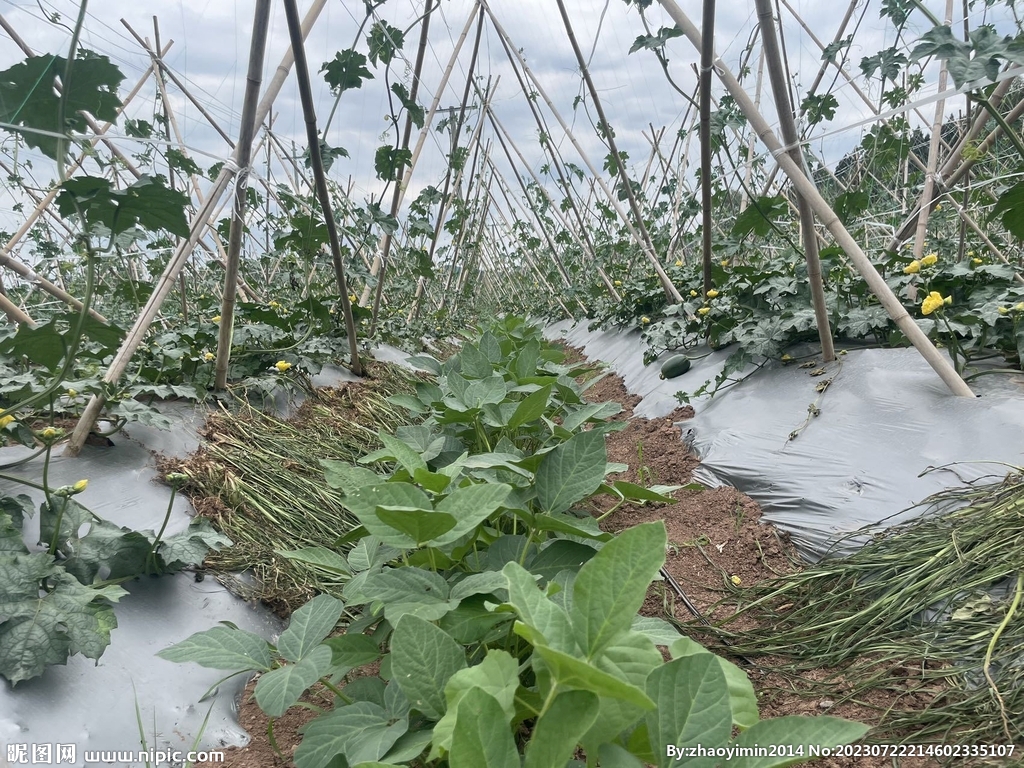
column 885, row 419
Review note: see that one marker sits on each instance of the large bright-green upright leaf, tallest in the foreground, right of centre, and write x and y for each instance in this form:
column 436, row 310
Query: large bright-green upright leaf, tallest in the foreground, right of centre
column 611, row 588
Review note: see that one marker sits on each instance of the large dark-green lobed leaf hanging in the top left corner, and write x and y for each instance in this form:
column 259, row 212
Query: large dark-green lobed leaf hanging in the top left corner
column 30, row 98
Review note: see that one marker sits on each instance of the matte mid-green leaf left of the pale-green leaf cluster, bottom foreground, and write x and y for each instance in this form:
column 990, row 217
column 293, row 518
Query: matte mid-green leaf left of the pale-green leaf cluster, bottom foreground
column 423, row 659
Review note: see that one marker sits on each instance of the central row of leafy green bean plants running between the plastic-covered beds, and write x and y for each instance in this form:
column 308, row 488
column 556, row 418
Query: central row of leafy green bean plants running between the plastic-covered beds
column 500, row 626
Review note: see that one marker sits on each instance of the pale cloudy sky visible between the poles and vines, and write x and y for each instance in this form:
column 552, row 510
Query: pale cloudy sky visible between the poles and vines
column 211, row 44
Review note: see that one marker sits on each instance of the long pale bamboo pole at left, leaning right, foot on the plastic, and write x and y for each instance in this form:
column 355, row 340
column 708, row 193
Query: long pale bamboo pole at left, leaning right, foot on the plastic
column 168, row 280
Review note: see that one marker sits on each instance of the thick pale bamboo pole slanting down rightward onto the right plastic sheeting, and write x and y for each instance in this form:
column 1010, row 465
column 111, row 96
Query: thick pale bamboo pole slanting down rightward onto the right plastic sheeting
column 822, row 209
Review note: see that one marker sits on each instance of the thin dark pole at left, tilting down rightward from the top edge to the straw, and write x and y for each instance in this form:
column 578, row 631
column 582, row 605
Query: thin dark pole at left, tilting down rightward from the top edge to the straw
column 320, row 178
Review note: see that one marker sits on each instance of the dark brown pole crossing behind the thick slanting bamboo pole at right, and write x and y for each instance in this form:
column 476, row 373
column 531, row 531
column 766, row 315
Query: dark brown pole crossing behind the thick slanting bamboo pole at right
column 788, row 124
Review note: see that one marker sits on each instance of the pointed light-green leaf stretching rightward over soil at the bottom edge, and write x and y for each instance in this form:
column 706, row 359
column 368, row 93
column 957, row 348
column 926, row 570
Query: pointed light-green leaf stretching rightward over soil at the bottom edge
column 800, row 733
